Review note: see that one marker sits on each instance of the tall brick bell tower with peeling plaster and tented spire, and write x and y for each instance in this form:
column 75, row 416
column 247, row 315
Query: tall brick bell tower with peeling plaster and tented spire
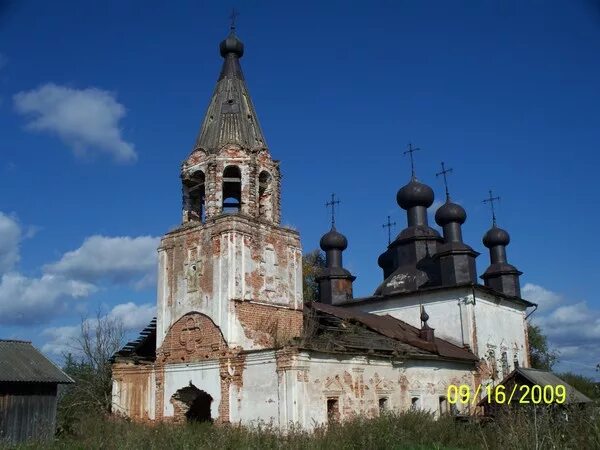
column 230, row 261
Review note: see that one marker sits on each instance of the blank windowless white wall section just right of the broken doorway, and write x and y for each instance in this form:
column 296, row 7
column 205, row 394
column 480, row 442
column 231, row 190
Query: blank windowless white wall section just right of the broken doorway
column 258, row 400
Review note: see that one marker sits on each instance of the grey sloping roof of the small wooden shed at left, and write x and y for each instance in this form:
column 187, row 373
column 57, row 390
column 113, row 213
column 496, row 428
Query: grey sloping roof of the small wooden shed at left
column 22, row 362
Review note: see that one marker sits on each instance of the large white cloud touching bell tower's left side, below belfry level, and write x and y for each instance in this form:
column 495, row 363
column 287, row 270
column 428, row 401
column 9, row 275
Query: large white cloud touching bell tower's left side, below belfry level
column 115, row 259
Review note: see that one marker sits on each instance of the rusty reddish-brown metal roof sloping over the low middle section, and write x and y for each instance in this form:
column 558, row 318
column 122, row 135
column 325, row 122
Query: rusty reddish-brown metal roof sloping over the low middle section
column 400, row 332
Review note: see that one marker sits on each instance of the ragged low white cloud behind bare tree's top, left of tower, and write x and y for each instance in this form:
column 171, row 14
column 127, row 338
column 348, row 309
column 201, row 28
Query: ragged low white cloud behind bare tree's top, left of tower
column 60, row 340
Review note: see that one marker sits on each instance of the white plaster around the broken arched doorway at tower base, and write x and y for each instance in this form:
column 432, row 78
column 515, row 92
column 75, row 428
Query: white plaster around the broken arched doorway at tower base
column 204, row 375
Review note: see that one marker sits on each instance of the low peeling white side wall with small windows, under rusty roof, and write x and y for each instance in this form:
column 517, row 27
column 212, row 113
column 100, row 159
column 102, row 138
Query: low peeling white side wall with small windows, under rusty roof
column 314, row 379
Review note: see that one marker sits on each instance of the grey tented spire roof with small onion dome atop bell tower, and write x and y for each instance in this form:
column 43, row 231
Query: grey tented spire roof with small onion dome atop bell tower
column 230, row 117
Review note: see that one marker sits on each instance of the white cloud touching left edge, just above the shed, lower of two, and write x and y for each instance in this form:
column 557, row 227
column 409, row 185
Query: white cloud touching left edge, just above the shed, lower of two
column 25, row 300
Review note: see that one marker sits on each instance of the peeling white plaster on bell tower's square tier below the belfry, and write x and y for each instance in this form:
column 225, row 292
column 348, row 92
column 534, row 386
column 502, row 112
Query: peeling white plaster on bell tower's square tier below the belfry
column 282, row 286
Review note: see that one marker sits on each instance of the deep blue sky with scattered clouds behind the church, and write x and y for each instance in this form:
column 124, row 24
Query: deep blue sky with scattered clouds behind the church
column 101, row 102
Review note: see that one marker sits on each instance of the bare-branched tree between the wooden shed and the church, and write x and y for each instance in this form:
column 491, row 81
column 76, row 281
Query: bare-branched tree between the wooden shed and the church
column 90, row 366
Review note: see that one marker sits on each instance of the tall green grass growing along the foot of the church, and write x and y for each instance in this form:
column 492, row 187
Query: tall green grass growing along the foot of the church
column 517, row 429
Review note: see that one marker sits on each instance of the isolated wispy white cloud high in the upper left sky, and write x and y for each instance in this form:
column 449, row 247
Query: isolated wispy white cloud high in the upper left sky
column 87, row 120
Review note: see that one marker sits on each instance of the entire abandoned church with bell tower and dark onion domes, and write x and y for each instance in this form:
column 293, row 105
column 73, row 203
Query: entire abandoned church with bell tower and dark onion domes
column 233, row 340
